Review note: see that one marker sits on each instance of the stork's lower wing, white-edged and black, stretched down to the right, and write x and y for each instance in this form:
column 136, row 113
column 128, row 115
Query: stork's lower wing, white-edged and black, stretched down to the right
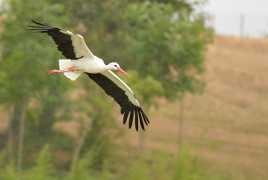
column 123, row 95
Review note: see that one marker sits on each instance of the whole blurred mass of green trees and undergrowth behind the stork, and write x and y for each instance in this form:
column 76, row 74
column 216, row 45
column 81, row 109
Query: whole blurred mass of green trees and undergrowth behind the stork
column 161, row 44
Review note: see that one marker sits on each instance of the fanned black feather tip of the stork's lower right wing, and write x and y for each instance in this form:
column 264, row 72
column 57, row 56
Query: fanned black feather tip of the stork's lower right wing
column 137, row 115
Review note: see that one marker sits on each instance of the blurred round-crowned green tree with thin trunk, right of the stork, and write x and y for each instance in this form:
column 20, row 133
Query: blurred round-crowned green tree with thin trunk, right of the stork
column 168, row 42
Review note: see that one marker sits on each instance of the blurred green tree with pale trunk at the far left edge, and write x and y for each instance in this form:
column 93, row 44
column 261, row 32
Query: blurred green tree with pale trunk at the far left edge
column 23, row 77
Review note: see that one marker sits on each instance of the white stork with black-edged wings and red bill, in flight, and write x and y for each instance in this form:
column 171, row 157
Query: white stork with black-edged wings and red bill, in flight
column 81, row 60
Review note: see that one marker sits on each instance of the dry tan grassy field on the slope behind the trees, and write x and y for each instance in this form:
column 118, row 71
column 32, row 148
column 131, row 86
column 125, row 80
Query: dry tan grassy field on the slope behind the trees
column 226, row 127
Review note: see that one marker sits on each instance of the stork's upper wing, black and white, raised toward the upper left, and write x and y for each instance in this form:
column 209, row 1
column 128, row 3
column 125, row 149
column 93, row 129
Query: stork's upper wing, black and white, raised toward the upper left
column 72, row 46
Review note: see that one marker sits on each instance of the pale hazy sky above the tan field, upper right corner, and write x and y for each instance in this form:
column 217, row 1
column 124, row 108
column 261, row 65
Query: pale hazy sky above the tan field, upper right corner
column 227, row 16
